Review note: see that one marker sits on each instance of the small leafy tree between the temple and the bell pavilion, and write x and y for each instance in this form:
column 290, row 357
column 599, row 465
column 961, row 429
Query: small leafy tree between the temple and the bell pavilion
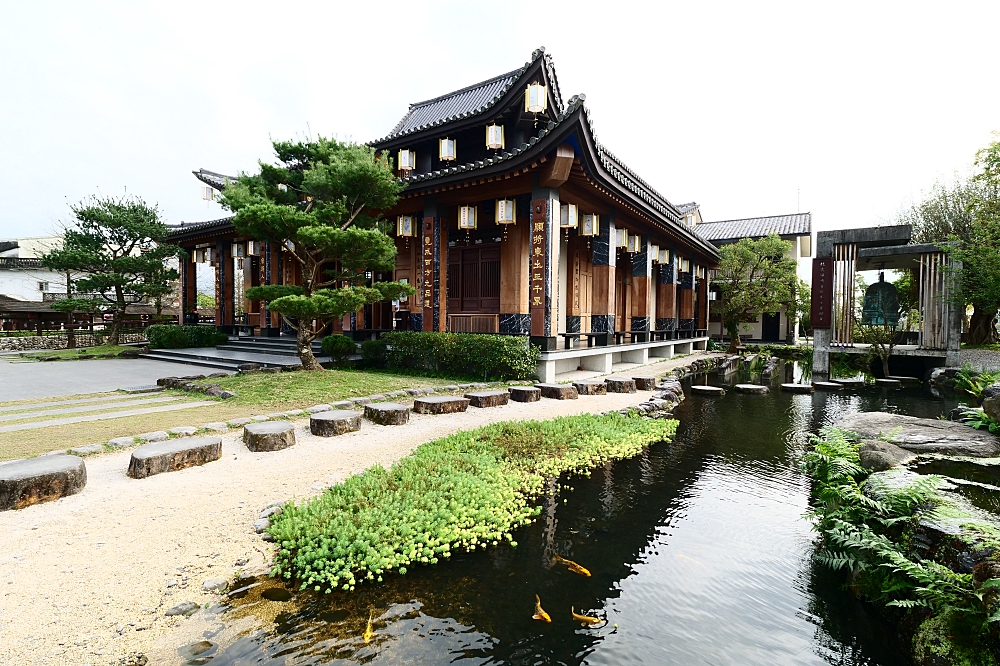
column 754, row 276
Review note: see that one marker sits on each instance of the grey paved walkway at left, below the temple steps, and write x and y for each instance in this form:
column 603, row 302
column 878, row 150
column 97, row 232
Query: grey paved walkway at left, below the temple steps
column 22, row 381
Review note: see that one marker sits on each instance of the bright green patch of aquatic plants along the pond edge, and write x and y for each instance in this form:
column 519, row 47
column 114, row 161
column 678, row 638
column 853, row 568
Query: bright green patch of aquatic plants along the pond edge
column 463, row 492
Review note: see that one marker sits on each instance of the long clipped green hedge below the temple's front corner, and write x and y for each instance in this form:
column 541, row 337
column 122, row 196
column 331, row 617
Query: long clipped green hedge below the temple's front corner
column 486, row 356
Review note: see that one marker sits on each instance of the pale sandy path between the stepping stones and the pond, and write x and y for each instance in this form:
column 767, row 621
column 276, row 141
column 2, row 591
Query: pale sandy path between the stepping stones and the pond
column 87, row 579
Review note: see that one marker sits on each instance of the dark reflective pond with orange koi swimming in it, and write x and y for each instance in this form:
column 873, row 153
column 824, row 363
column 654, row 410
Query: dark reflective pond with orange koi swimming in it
column 697, row 549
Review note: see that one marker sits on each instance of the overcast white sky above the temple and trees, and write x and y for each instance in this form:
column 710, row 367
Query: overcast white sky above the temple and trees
column 739, row 106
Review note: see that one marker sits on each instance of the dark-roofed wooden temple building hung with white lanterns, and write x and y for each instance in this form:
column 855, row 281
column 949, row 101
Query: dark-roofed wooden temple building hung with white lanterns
column 514, row 219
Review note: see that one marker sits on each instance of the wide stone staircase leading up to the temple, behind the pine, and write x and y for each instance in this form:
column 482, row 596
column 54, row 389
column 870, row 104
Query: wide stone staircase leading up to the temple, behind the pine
column 237, row 351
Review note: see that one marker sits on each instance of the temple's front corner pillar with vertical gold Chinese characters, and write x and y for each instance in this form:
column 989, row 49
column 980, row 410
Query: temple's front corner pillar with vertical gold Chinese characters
column 544, row 294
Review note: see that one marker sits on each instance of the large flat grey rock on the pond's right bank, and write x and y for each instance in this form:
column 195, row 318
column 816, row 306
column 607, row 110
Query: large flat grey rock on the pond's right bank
column 922, row 435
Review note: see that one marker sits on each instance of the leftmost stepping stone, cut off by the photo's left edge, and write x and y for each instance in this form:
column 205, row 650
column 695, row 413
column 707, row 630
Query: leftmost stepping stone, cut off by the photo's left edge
column 41, row 479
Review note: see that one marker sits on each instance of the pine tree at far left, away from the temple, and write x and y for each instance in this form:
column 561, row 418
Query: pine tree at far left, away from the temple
column 118, row 244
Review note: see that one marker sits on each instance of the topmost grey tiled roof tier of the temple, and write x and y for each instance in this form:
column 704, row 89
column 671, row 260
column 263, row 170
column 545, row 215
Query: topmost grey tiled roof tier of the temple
column 468, row 101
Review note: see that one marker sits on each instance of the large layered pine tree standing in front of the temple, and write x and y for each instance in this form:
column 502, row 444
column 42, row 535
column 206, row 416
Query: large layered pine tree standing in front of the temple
column 321, row 202
